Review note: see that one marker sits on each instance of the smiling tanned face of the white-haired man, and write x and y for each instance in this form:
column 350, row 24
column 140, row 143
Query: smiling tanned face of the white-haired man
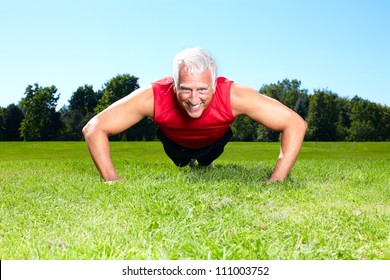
column 195, row 92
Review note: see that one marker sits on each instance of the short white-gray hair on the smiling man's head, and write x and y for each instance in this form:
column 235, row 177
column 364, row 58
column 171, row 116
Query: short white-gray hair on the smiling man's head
column 194, row 60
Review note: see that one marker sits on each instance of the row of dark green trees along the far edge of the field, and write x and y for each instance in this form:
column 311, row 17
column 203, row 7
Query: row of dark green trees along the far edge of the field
column 329, row 116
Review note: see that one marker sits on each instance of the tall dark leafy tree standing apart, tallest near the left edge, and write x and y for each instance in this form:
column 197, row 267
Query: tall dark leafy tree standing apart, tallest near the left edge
column 41, row 121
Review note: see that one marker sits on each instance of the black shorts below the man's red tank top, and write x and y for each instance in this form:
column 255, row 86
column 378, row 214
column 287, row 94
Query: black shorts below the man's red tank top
column 182, row 156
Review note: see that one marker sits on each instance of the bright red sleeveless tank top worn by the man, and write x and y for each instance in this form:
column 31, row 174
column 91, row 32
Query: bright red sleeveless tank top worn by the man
column 184, row 130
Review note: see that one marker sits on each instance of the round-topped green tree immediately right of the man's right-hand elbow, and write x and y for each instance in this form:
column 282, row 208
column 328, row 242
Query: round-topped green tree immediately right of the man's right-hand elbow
column 322, row 117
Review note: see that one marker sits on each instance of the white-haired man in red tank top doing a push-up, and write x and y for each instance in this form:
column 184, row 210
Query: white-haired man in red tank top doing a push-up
column 194, row 110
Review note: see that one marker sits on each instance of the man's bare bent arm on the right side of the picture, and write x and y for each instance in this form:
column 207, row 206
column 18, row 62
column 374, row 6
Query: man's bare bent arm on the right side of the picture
column 273, row 115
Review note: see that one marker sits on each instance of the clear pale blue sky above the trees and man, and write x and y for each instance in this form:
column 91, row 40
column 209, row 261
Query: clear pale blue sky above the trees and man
column 343, row 46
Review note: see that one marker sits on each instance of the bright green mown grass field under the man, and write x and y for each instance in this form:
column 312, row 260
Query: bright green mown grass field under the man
column 334, row 205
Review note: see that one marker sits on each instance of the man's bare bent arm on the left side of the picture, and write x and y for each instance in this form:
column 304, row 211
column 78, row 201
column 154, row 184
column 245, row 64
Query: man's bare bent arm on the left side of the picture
column 115, row 119
